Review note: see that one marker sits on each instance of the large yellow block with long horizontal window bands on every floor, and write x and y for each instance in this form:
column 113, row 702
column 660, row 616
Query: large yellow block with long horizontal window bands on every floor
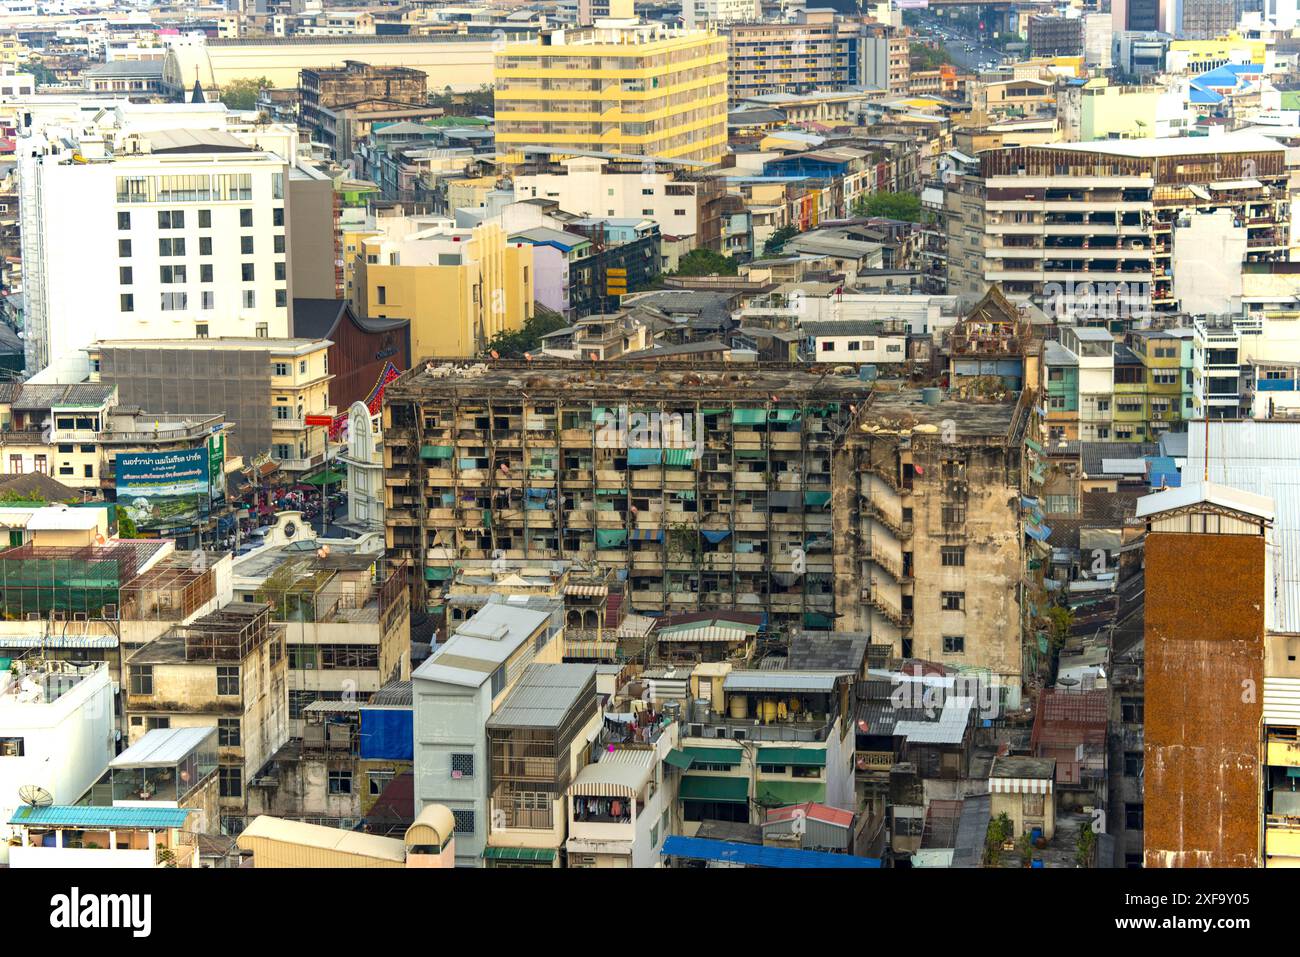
column 621, row 88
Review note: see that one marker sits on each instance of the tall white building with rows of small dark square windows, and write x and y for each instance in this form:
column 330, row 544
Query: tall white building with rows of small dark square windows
column 151, row 226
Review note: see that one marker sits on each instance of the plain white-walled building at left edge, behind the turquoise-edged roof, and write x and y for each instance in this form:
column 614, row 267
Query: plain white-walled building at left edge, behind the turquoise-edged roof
column 57, row 731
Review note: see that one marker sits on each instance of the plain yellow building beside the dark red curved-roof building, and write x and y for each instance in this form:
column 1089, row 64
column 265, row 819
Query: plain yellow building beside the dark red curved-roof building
column 460, row 288
